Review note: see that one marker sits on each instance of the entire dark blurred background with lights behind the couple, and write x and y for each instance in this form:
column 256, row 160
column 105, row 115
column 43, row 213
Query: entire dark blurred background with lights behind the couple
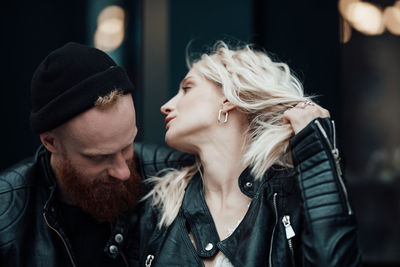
column 347, row 52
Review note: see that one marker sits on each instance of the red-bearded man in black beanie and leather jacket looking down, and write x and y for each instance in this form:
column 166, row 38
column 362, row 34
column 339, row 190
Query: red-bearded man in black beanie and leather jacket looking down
column 71, row 205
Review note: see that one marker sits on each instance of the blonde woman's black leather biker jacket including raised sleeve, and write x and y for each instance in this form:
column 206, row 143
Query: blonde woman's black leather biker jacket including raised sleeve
column 297, row 217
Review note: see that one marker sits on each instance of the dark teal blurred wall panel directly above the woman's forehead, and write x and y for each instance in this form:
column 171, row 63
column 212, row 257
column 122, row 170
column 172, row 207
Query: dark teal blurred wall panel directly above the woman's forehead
column 203, row 23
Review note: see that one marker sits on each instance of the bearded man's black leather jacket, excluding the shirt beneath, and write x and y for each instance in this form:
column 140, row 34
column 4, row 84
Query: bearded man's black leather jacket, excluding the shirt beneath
column 30, row 230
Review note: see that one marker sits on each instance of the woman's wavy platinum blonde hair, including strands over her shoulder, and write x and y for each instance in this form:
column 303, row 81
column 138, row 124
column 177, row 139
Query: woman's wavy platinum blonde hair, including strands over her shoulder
column 263, row 90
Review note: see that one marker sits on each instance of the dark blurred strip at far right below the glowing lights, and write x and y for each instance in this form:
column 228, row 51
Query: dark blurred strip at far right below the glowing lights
column 371, row 118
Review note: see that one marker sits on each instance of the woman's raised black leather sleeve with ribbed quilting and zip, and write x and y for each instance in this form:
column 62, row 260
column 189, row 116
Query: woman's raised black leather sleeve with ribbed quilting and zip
column 330, row 234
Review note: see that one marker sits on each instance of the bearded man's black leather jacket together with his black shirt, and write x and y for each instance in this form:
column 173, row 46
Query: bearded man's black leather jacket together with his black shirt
column 36, row 231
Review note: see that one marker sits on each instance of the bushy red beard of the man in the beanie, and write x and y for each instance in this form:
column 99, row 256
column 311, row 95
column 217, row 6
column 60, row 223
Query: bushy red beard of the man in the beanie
column 105, row 198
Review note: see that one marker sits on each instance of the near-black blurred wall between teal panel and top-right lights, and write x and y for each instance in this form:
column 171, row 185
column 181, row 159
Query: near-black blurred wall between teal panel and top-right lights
column 303, row 34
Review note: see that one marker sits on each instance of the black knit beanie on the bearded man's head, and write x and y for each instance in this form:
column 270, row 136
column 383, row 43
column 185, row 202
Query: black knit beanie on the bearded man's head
column 69, row 81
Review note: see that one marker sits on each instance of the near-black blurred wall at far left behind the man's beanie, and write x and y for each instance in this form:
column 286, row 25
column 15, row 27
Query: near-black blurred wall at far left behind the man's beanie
column 31, row 30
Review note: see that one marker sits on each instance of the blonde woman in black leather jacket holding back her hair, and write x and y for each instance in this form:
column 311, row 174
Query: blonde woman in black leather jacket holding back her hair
column 266, row 189
